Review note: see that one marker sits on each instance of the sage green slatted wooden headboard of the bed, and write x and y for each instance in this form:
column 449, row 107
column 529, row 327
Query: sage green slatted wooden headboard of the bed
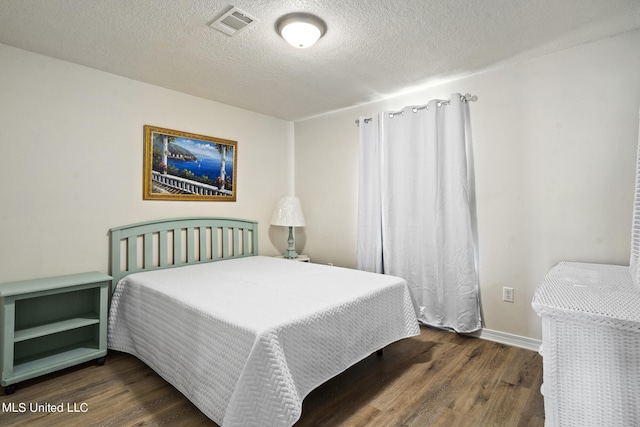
column 177, row 242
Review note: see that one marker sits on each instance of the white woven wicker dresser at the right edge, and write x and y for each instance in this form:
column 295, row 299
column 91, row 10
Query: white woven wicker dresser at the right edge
column 590, row 345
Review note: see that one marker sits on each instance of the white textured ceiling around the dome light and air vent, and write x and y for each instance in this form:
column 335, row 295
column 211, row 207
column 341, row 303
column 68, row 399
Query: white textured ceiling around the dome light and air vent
column 372, row 49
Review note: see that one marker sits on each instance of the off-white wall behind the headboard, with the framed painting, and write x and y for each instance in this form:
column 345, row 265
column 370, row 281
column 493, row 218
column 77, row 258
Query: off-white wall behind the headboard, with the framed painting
column 71, row 150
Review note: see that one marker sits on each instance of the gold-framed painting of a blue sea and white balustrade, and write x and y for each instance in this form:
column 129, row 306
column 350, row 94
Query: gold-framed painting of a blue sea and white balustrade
column 185, row 166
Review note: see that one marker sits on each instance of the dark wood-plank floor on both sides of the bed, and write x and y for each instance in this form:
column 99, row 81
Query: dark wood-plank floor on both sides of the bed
column 435, row 379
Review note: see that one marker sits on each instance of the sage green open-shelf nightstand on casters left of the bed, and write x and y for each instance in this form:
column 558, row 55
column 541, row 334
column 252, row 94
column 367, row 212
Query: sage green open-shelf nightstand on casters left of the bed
column 51, row 324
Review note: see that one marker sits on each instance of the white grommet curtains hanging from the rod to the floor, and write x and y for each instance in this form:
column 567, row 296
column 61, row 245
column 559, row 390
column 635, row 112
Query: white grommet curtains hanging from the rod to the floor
column 416, row 208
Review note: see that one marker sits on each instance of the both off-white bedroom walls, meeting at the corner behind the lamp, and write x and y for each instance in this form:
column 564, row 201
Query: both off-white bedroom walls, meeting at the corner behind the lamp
column 554, row 138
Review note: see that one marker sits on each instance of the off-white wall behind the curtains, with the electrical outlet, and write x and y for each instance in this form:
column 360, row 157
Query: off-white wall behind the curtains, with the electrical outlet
column 555, row 141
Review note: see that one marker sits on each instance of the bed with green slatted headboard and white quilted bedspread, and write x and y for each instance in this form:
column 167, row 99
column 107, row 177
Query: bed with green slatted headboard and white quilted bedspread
column 244, row 337
